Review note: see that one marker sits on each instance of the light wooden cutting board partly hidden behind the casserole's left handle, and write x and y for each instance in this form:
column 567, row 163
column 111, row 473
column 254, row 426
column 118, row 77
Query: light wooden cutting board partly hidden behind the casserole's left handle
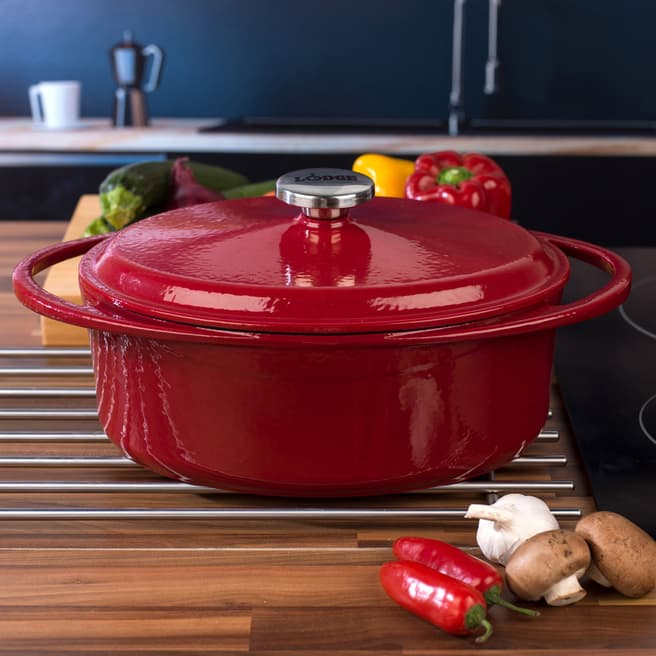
column 61, row 279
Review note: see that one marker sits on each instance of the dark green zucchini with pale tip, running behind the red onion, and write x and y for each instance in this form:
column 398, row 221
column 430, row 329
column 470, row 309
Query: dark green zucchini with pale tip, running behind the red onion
column 134, row 191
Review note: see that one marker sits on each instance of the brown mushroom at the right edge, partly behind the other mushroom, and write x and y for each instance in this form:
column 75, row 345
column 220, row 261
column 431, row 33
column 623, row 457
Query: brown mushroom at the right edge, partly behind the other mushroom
column 623, row 555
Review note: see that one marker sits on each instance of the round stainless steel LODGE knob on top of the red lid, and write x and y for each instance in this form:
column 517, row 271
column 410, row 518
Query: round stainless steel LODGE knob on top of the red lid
column 324, row 193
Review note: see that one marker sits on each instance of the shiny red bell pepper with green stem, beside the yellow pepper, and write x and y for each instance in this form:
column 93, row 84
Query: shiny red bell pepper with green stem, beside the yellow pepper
column 469, row 180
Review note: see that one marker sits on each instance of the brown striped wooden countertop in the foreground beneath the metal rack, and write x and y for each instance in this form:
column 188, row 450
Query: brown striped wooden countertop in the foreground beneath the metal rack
column 258, row 586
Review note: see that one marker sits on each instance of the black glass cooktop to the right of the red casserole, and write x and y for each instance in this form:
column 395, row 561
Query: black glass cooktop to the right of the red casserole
column 606, row 368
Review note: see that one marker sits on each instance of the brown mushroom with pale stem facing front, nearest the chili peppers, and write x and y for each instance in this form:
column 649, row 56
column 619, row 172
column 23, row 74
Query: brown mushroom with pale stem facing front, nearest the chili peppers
column 549, row 565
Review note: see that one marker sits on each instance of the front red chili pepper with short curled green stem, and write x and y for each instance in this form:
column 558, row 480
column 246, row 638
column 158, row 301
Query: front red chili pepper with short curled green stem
column 449, row 604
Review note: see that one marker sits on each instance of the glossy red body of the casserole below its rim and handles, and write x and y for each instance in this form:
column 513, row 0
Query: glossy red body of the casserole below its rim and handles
column 312, row 421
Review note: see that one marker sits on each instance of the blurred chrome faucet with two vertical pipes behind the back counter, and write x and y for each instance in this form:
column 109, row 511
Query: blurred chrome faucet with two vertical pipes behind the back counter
column 456, row 97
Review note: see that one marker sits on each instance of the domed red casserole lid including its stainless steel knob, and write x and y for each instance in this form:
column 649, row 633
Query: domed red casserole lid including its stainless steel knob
column 260, row 264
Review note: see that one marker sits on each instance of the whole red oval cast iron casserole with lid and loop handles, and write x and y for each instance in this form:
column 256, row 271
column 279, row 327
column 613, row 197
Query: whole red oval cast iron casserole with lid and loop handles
column 249, row 346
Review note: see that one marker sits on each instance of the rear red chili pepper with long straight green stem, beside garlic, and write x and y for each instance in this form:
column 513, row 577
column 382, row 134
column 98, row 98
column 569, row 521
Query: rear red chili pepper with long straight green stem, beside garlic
column 454, row 562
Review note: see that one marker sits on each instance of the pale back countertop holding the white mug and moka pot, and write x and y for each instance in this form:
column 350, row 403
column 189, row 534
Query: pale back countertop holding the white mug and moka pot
column 17, row 135
